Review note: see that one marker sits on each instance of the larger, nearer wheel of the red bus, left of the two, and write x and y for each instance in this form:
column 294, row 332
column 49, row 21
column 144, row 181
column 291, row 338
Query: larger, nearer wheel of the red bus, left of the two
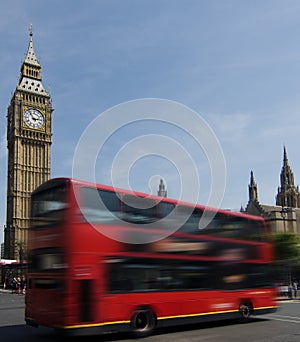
column 143, row 323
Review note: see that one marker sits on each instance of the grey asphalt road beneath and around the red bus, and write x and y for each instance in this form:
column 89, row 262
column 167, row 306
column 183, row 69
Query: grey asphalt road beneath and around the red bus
column 282, row 326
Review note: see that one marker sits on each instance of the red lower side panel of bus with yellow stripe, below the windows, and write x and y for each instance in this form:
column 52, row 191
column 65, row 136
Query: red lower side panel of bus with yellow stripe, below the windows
column 191, row 306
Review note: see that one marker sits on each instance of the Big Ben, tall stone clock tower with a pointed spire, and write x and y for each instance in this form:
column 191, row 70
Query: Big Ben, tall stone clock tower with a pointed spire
column 29, row 138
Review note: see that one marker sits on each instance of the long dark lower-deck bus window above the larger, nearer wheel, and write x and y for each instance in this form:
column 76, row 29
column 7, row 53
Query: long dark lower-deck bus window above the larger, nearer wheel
column 140, row 275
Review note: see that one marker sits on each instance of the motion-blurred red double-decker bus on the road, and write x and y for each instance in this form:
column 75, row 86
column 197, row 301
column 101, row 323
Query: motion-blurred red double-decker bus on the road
column 103, row 259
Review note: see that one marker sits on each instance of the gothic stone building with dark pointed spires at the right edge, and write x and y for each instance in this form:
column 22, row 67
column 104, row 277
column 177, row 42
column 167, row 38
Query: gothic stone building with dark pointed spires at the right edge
column 285, row 215
